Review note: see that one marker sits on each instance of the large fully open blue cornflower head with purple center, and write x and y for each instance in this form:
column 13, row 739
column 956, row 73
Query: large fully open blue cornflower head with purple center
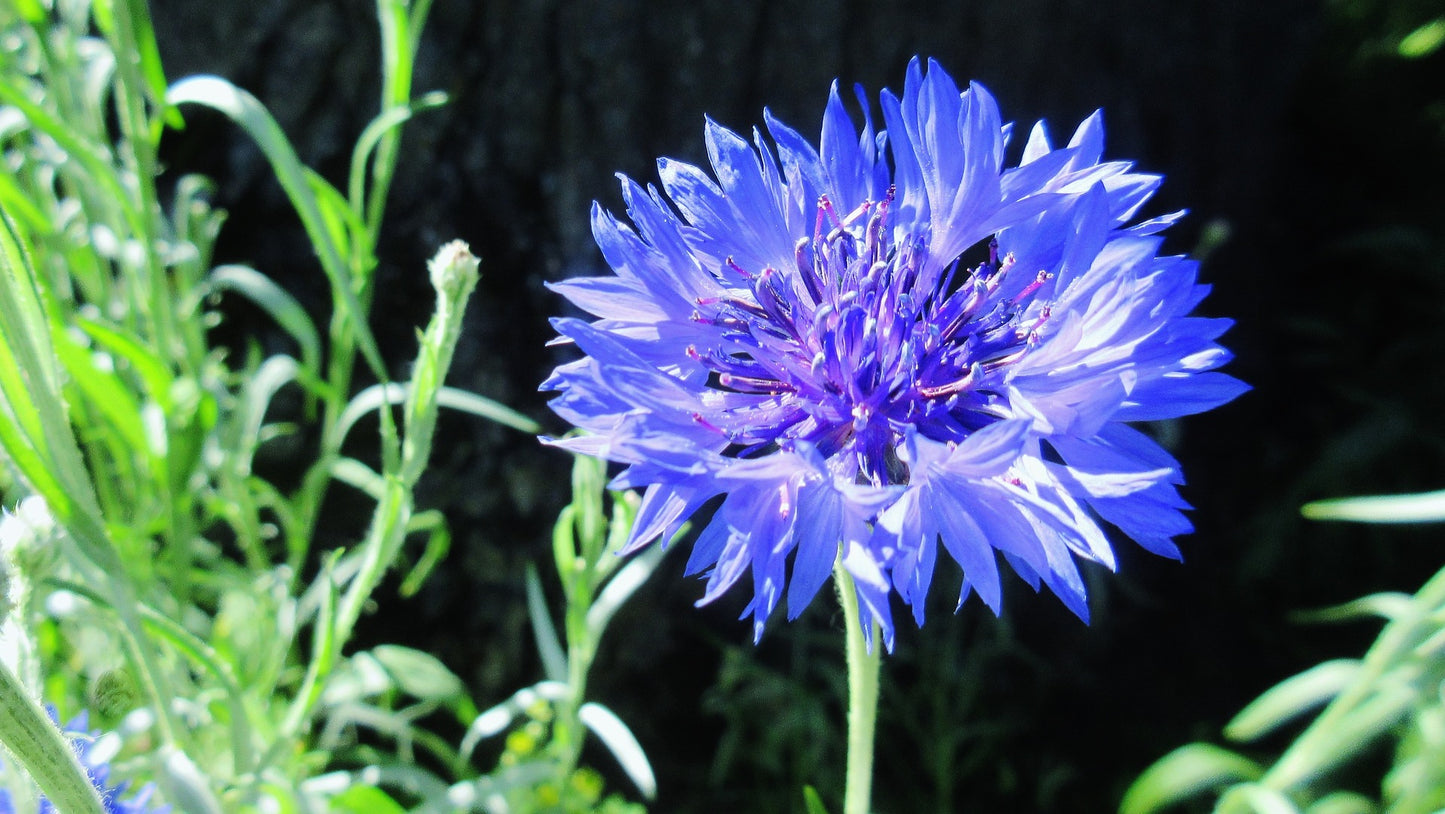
column 887, row 342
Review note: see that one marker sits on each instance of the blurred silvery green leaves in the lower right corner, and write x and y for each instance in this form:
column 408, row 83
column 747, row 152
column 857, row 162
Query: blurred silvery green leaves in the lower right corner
column 1394, row 699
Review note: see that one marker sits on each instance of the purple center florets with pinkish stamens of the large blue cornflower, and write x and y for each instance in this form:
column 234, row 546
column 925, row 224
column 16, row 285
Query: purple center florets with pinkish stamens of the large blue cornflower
column 860, row 340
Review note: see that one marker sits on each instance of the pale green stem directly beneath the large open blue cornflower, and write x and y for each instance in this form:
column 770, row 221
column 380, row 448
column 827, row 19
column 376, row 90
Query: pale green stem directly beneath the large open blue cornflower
column 863, row 698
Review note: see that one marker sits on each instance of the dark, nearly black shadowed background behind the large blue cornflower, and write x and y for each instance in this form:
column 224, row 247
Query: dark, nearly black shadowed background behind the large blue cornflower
column 1291, row 127
